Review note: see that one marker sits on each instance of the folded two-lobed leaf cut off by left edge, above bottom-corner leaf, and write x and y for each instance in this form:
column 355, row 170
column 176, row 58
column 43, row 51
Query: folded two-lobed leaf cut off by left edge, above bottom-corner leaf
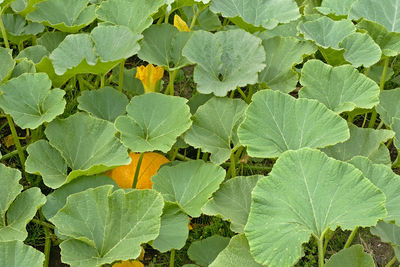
column 16, row 208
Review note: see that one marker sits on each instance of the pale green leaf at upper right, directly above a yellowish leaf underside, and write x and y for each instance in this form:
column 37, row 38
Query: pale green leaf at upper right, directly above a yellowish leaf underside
column 326, row 32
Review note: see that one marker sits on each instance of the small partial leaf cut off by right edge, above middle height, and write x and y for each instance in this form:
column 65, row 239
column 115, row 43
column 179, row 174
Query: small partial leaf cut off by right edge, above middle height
column 388, row 107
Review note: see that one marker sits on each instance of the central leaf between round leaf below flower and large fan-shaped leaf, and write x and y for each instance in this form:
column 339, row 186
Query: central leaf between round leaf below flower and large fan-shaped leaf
column 214, row 127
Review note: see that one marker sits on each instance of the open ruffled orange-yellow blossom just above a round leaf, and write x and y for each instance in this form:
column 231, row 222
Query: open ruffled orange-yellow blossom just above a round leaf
column 149, row 76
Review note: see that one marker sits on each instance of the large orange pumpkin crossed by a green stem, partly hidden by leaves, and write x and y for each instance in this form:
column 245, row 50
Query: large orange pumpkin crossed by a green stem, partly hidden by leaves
column 151, row 162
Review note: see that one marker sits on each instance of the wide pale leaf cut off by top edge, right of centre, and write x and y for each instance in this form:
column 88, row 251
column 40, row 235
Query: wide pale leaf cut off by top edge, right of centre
column 263, row 13
